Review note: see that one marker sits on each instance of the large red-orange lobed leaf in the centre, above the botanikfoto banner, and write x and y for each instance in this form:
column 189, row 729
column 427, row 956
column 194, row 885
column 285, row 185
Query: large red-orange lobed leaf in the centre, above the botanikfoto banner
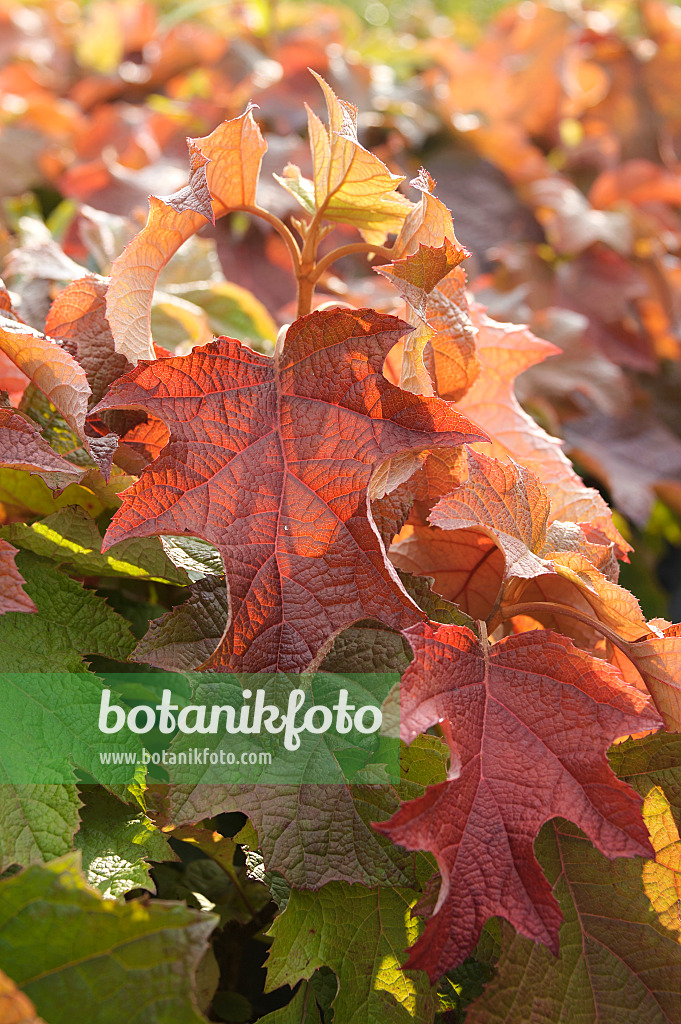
column 271, row 461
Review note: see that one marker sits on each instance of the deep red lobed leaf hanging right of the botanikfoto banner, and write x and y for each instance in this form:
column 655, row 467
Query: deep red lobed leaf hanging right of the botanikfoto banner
column 529, row 720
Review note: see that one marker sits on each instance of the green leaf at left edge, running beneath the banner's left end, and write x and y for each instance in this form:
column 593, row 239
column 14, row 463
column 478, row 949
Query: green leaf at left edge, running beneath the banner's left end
column 45, row 708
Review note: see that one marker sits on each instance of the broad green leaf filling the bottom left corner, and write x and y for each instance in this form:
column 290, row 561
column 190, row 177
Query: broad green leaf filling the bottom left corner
column 79, row 958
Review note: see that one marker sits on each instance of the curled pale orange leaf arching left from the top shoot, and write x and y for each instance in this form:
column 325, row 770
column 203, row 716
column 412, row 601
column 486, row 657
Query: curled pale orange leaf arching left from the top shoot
column 234, row 153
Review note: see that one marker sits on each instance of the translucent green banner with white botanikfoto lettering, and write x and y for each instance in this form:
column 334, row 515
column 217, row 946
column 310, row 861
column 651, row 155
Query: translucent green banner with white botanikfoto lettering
column 197, row 729
